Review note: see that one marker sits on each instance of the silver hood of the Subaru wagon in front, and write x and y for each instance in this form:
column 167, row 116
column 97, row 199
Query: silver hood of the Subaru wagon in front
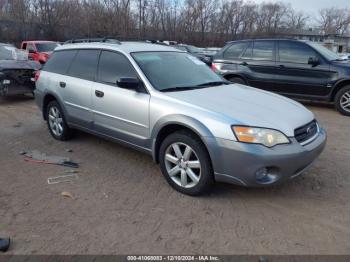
column 248, row 106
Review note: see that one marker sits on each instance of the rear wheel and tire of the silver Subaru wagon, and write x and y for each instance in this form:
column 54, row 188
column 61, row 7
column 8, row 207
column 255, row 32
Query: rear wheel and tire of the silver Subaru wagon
column 56, row 122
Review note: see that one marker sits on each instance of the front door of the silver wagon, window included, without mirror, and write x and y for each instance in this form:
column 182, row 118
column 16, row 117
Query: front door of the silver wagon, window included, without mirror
column 119, row 113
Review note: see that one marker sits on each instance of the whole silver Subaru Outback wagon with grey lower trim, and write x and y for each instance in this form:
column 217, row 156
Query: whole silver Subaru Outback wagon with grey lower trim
column 197, row 126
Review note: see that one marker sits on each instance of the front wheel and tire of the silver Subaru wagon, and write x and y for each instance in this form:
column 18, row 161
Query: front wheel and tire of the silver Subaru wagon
column 185, row 163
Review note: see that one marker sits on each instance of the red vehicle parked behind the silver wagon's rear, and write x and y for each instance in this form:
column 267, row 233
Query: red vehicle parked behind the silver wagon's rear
column 39, row 50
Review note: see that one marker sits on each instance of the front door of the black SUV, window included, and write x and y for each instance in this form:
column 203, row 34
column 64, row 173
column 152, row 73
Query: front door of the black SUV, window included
column 296, row 76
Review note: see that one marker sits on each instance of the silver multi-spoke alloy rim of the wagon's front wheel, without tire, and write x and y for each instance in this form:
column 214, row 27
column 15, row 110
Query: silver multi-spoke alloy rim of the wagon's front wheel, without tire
column 183, row 165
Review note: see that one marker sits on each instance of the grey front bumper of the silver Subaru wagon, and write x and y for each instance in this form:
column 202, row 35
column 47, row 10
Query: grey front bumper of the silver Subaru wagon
column 238, row 163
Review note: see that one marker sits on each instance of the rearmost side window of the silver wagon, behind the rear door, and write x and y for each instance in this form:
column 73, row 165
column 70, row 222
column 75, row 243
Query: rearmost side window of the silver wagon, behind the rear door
column 60, row 61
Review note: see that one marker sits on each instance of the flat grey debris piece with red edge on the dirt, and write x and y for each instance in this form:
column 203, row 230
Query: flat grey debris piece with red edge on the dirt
column 36, row 156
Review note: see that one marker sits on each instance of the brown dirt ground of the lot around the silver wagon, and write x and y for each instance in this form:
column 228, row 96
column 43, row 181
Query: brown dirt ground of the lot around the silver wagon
column 122, row 204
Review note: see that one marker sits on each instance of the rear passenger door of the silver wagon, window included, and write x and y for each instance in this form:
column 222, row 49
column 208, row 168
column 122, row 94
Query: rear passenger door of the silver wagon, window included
column 76, row 87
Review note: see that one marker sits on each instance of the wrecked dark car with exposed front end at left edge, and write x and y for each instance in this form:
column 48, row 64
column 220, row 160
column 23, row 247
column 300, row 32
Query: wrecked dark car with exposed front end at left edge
column 16, row 72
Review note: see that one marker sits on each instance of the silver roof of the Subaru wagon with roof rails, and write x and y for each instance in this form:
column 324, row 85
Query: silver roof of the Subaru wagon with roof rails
column 126, row 47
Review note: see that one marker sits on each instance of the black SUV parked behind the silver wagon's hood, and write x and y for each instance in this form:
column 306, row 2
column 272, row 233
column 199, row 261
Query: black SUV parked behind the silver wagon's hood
column 300, row 69
